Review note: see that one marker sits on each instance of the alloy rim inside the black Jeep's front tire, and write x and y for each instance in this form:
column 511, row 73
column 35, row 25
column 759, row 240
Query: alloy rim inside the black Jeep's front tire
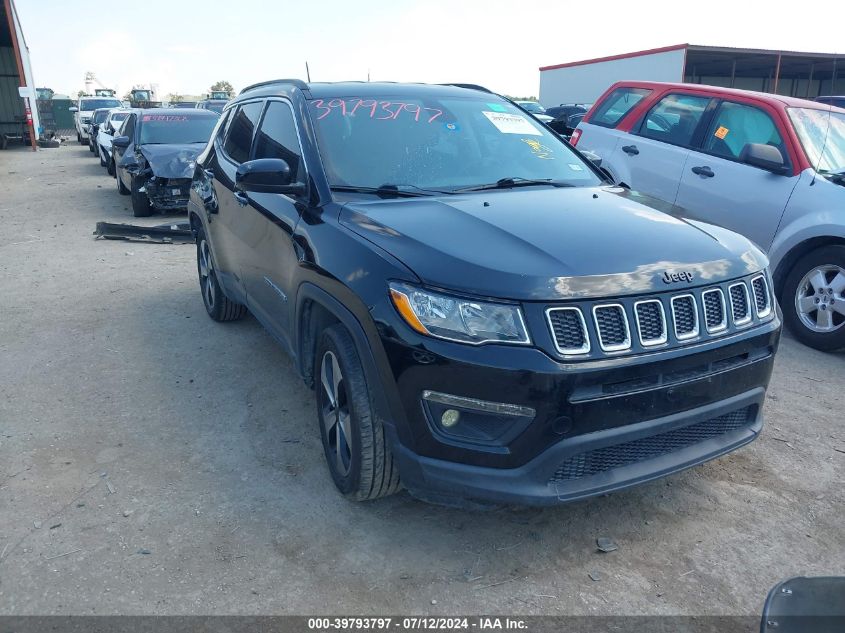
column 336, row 417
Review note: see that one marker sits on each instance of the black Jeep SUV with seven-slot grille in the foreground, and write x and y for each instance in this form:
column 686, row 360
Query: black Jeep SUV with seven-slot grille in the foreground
column 480, row 315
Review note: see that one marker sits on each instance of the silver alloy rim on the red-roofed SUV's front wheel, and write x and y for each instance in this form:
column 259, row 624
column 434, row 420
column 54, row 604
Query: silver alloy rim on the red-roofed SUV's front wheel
column 820, row 299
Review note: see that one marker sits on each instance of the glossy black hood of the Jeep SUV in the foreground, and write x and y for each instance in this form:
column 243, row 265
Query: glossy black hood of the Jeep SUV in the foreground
column 544, row 244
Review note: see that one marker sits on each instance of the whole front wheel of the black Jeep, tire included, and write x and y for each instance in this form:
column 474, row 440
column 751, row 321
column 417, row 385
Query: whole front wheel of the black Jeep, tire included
column 364, row 468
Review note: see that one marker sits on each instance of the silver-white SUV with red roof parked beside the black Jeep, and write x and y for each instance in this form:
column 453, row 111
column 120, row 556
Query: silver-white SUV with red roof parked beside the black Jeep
column 767, row 166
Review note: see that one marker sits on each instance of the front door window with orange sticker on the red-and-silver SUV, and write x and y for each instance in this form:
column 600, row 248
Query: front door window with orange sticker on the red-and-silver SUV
column 735, row 125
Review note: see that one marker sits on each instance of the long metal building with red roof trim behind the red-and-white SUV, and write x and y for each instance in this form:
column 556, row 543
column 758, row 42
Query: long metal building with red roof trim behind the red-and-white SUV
column 792, row 73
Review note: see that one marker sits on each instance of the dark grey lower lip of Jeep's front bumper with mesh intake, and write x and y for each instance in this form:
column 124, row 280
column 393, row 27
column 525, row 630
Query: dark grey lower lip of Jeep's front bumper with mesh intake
column 594, row 463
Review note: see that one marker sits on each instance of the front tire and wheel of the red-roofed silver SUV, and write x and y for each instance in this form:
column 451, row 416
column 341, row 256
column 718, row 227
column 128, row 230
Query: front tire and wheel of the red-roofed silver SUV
column 830, row 262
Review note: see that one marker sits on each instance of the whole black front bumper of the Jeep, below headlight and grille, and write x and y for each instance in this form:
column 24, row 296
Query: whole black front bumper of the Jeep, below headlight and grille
column 600, row 425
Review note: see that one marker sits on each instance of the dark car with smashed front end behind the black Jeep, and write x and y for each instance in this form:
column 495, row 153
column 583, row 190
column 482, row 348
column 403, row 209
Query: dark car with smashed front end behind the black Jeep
column 155, row 156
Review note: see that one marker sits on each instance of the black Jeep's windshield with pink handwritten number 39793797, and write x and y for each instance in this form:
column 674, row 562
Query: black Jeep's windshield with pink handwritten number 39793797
column 438, row 143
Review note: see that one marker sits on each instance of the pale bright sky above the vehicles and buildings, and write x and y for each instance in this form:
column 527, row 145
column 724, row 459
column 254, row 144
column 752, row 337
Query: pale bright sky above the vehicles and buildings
column 184, row 47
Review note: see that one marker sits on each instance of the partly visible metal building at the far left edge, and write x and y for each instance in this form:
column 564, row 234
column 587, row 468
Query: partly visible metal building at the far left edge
column 17, row 86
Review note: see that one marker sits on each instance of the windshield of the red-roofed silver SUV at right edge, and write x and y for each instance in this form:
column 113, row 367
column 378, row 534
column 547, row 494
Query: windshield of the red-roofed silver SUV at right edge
column 822, row 135
